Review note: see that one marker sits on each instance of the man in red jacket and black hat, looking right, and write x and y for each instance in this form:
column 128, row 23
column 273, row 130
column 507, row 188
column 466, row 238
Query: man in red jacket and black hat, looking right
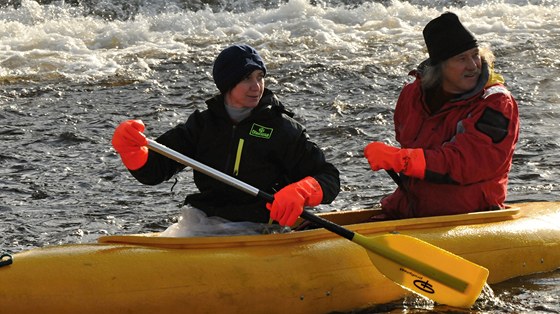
column 457, row 126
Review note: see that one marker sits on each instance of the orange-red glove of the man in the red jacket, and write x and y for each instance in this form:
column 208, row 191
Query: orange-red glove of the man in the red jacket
column 410, row 161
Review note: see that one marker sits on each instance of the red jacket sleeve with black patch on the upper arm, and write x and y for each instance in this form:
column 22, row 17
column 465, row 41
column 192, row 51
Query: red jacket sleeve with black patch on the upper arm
column 483, row 146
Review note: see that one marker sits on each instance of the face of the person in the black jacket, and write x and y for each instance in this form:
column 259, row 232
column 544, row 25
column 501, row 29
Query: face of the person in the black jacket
column 248, row 92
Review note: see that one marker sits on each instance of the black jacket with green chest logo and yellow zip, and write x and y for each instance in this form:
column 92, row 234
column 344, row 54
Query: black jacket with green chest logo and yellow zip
column 267, row 150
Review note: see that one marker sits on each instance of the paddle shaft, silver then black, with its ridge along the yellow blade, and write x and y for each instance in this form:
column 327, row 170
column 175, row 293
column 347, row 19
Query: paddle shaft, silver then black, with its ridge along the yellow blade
column 383, row 251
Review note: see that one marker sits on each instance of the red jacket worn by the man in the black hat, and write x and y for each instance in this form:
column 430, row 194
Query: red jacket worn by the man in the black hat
column 468, row 145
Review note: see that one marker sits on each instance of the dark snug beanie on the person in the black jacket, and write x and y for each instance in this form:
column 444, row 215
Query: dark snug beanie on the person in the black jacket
column 233, row 64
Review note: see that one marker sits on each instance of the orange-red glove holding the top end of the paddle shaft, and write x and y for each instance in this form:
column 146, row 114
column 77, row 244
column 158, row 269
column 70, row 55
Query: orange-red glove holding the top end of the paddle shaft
column 130, row 143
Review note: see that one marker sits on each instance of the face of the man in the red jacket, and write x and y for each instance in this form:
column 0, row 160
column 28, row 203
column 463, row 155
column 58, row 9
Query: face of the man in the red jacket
column 461, row 72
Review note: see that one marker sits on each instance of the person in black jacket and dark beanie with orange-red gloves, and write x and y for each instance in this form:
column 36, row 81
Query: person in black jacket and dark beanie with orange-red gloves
column 247, row 133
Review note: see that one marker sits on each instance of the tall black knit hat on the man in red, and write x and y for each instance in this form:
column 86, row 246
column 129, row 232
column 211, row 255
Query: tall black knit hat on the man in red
column 446, row 37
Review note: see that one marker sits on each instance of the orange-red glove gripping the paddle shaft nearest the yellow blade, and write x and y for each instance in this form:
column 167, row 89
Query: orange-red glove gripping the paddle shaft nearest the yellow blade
column 289, row 201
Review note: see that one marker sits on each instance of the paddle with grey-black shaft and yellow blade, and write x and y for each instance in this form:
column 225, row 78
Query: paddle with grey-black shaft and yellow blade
column 412, row 263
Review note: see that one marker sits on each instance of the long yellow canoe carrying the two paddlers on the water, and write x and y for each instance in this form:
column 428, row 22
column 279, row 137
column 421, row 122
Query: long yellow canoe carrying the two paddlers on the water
column 312, row 271
